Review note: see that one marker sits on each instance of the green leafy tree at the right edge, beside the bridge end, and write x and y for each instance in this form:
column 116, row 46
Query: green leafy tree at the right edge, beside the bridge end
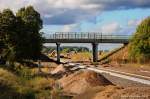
column 140, row 42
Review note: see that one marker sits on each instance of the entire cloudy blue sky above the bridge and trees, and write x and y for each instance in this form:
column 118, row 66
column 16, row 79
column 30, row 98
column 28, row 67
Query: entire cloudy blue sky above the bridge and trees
column 104, row 16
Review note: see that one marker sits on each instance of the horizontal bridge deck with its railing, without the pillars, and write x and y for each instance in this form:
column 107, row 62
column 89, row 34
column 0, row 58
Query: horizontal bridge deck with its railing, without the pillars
column 85, row 38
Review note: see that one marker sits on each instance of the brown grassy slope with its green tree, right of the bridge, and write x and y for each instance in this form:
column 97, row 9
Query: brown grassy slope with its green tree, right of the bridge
column 138, row 49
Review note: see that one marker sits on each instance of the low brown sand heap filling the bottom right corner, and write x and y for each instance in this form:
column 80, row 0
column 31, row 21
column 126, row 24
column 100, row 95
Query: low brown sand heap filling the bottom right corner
column 113, row 92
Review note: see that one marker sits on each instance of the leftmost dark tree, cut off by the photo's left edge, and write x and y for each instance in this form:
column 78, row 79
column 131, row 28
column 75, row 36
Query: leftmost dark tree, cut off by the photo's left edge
column 7, row 34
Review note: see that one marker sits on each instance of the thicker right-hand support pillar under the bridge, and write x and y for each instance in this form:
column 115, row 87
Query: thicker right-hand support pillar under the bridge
column 95, row 51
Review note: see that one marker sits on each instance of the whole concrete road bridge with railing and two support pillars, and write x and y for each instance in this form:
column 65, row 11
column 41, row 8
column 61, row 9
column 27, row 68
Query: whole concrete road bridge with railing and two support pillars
column 84, row 37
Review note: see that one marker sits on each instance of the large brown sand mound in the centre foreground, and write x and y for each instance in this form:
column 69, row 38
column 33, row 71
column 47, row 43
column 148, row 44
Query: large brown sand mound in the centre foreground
column 81, row 81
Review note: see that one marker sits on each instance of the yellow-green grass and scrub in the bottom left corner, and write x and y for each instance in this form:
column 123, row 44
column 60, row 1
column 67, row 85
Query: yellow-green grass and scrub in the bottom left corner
column 16, row 85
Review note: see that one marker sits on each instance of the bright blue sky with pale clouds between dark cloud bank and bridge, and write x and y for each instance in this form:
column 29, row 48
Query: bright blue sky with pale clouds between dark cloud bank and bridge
column 125, row 22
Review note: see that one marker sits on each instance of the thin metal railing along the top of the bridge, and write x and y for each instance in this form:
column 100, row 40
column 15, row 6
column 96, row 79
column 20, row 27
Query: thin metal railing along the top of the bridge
column 85, row 36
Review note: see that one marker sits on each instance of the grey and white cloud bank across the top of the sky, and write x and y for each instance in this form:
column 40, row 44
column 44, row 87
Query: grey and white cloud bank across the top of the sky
column 77, row 10
